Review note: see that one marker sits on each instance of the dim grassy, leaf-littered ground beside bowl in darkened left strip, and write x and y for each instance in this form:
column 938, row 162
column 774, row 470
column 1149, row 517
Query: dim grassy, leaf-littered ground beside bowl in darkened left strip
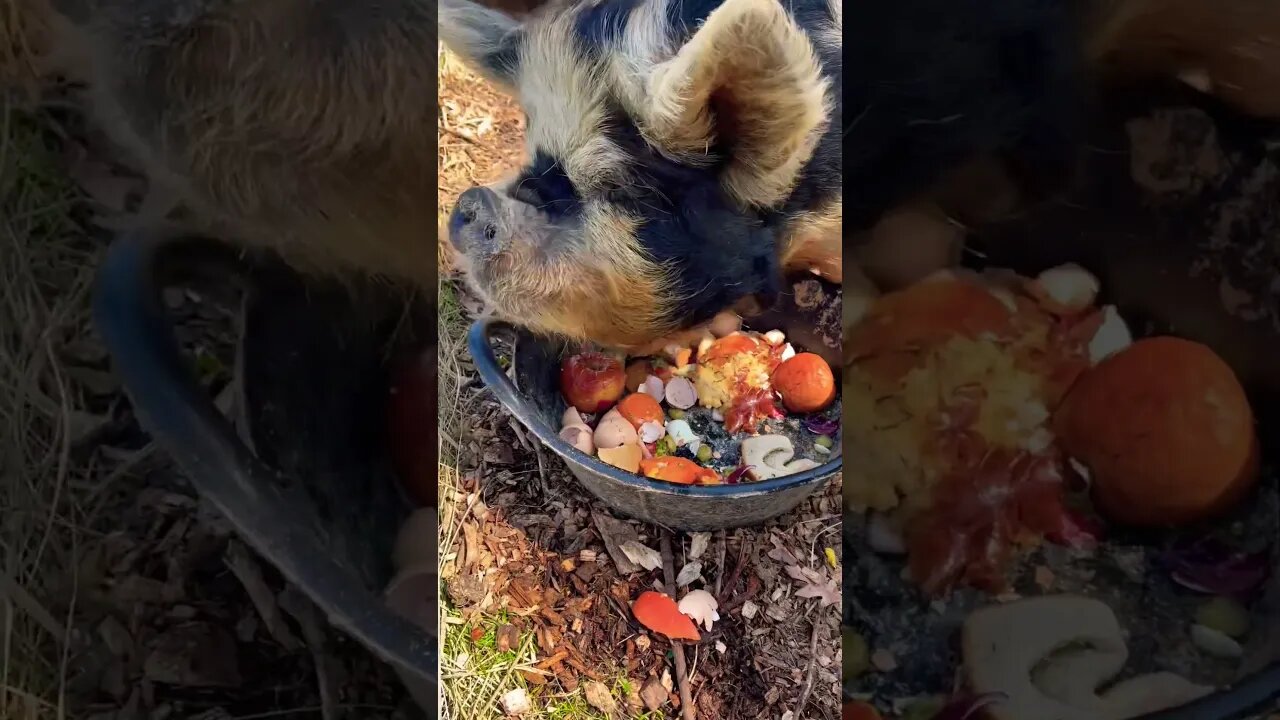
column 122, row 595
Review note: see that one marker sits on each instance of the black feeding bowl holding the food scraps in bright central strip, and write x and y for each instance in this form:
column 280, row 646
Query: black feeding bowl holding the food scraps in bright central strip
column 533, row 397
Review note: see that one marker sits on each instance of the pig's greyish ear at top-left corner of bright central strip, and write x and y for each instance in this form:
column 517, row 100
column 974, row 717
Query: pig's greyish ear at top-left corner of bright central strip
column 486, row 39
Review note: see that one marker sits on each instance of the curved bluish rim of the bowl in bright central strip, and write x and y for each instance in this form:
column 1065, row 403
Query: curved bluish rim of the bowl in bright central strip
column 497, row 381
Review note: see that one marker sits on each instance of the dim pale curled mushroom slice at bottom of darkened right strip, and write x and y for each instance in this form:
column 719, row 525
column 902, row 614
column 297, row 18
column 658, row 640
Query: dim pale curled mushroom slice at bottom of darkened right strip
column 1049, row 655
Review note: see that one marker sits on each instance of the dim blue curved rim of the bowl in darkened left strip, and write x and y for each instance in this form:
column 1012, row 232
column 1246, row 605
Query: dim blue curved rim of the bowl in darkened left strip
column 171, row 405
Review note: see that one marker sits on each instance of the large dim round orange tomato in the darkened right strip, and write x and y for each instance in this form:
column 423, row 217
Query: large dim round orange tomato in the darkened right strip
column 1167, row 434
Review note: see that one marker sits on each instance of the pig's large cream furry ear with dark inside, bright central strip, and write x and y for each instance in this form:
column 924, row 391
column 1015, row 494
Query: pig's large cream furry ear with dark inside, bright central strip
column 747, row 83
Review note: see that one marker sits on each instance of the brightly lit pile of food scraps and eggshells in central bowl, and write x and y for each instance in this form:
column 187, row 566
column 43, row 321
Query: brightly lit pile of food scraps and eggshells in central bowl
column 738, row 408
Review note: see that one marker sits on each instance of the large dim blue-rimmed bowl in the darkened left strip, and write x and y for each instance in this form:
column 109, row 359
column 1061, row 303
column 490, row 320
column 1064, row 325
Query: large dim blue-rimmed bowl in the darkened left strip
column 305, row 479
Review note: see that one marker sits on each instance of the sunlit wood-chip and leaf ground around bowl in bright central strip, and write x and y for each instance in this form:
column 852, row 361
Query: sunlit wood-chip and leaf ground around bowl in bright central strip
column 537, row 591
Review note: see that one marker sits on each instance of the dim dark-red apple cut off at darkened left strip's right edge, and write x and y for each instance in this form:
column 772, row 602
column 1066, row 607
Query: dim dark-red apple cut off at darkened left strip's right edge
column 413, row 429
